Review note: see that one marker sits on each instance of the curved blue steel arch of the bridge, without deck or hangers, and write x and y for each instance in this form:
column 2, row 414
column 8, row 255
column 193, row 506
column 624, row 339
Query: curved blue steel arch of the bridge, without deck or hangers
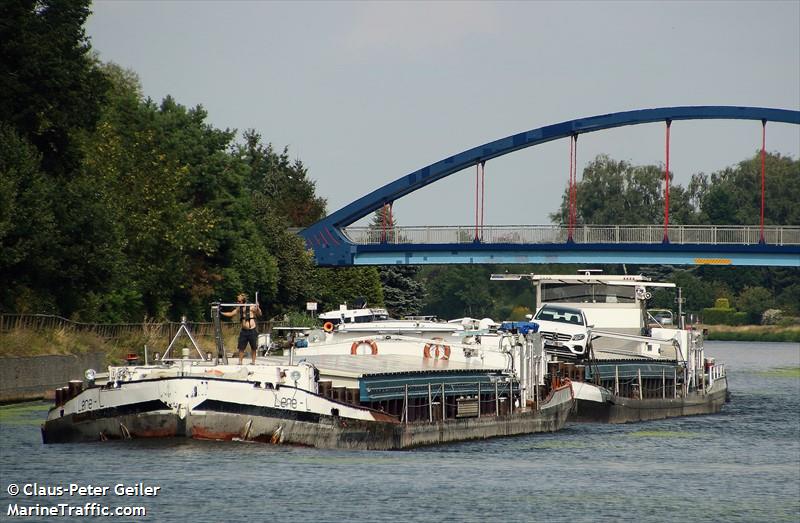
column 331, row 247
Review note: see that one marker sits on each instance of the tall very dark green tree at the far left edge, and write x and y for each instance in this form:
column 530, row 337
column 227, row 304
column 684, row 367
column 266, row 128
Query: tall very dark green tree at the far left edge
column 51, row 94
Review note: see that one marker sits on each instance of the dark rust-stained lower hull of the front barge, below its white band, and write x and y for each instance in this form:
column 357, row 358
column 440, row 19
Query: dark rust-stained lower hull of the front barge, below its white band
column 219, row 421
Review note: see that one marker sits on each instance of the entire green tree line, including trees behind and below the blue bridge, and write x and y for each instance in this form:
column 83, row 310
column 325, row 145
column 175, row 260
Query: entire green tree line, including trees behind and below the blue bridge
column 116, row 207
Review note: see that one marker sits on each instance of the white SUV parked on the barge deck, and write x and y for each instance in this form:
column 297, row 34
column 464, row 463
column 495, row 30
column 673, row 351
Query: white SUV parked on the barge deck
column 564, row 330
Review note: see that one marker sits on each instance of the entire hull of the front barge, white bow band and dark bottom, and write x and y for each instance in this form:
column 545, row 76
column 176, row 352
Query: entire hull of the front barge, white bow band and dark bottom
column 219, row 409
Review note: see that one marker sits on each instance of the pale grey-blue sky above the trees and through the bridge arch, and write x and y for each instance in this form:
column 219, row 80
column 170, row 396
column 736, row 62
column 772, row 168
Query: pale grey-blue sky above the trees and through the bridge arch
column 367, row 92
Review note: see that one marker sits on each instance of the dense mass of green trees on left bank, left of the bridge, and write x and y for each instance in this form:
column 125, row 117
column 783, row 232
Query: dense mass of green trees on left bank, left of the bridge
column 114, row 207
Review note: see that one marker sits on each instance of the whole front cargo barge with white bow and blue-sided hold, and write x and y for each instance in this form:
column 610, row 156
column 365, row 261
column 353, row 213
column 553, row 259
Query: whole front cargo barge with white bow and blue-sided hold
column 368, row 402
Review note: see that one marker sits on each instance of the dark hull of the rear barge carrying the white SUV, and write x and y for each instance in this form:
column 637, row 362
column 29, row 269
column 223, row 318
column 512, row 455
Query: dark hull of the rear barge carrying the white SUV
column 628, row 410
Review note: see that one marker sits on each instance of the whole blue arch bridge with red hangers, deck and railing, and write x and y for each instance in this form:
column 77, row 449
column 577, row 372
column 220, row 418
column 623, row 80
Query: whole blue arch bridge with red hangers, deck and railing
column 336, row 242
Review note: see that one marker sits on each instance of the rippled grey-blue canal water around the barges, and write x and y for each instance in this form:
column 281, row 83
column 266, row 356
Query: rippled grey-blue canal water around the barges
column 740, row 465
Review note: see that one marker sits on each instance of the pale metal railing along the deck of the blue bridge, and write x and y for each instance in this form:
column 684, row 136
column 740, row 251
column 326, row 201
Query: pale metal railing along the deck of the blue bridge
column 532, row 234
